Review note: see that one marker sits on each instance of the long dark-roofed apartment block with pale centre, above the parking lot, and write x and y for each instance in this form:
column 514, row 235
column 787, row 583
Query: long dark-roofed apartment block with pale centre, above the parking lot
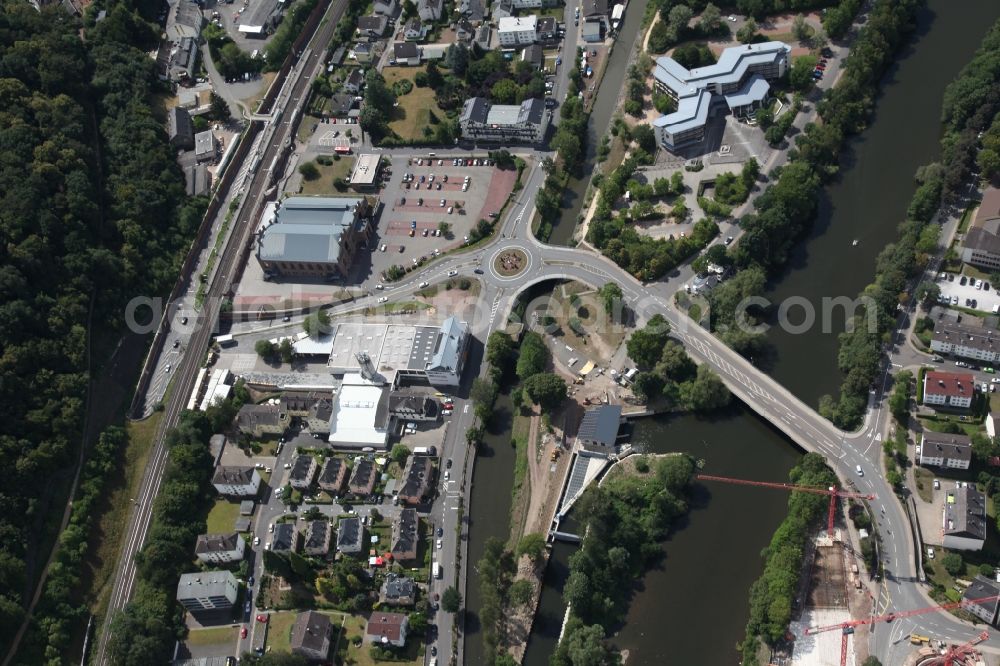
column 526, row 123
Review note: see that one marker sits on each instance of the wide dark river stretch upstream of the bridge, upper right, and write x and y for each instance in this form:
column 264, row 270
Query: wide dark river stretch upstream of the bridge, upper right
column 870, row 199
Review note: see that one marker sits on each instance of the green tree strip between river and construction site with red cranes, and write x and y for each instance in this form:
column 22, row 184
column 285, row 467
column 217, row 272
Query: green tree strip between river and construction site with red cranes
column 772, row 595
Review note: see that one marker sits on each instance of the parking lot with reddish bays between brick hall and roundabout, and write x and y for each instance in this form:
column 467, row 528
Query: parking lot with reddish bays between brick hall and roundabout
column 414, row 209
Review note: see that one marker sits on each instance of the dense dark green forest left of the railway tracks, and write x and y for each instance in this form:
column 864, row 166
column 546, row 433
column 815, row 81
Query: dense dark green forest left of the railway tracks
column 93, row 214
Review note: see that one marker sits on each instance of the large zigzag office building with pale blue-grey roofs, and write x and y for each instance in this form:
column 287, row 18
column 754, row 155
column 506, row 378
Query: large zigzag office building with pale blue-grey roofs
column 739, row 79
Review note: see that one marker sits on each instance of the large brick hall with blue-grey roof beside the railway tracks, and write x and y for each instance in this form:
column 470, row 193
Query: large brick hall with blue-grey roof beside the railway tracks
column 312, row 236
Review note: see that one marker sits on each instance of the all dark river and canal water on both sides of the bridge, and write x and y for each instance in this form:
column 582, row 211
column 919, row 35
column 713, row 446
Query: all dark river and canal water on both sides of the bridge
column 711, row 560
